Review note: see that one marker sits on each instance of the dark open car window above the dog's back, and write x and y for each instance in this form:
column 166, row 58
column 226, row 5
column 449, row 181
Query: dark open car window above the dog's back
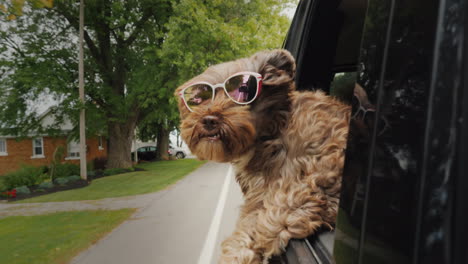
column 329, row 43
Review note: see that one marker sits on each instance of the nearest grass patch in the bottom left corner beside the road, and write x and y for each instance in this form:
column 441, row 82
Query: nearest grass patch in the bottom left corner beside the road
column 54, row 238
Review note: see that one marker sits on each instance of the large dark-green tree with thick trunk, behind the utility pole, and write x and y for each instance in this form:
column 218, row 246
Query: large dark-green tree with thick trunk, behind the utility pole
column 41, row 58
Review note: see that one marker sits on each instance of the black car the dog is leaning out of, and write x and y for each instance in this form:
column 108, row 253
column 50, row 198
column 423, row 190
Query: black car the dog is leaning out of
column 403, row 67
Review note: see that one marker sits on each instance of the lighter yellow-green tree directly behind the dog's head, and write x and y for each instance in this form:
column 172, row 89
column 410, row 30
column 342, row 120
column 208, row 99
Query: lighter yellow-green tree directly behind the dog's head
column 200, row 35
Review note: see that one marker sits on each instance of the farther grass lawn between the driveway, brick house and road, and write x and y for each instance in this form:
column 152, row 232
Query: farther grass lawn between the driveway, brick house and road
column 157, row 176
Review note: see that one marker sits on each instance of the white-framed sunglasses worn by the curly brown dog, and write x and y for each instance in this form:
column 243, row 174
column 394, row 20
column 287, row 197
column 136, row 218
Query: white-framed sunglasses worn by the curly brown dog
column 242, row 88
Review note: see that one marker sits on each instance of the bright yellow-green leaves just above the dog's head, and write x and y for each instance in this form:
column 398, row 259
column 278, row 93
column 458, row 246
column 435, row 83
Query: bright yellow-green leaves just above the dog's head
column 204, row 34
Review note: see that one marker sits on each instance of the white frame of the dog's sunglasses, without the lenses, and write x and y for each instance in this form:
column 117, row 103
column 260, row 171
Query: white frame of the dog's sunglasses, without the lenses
column 257, row 76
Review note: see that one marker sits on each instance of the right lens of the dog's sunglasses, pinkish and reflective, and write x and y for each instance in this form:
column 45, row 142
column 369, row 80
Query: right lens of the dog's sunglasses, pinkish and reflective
column 242, row 88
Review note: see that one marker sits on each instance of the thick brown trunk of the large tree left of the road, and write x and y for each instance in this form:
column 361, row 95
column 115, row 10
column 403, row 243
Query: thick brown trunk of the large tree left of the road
column 120, row 144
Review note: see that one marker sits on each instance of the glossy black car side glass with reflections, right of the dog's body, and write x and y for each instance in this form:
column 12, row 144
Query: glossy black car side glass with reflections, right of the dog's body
column 385, row 146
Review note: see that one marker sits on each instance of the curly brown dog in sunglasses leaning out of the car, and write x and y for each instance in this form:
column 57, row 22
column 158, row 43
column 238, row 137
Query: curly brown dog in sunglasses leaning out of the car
column 287, row 149
